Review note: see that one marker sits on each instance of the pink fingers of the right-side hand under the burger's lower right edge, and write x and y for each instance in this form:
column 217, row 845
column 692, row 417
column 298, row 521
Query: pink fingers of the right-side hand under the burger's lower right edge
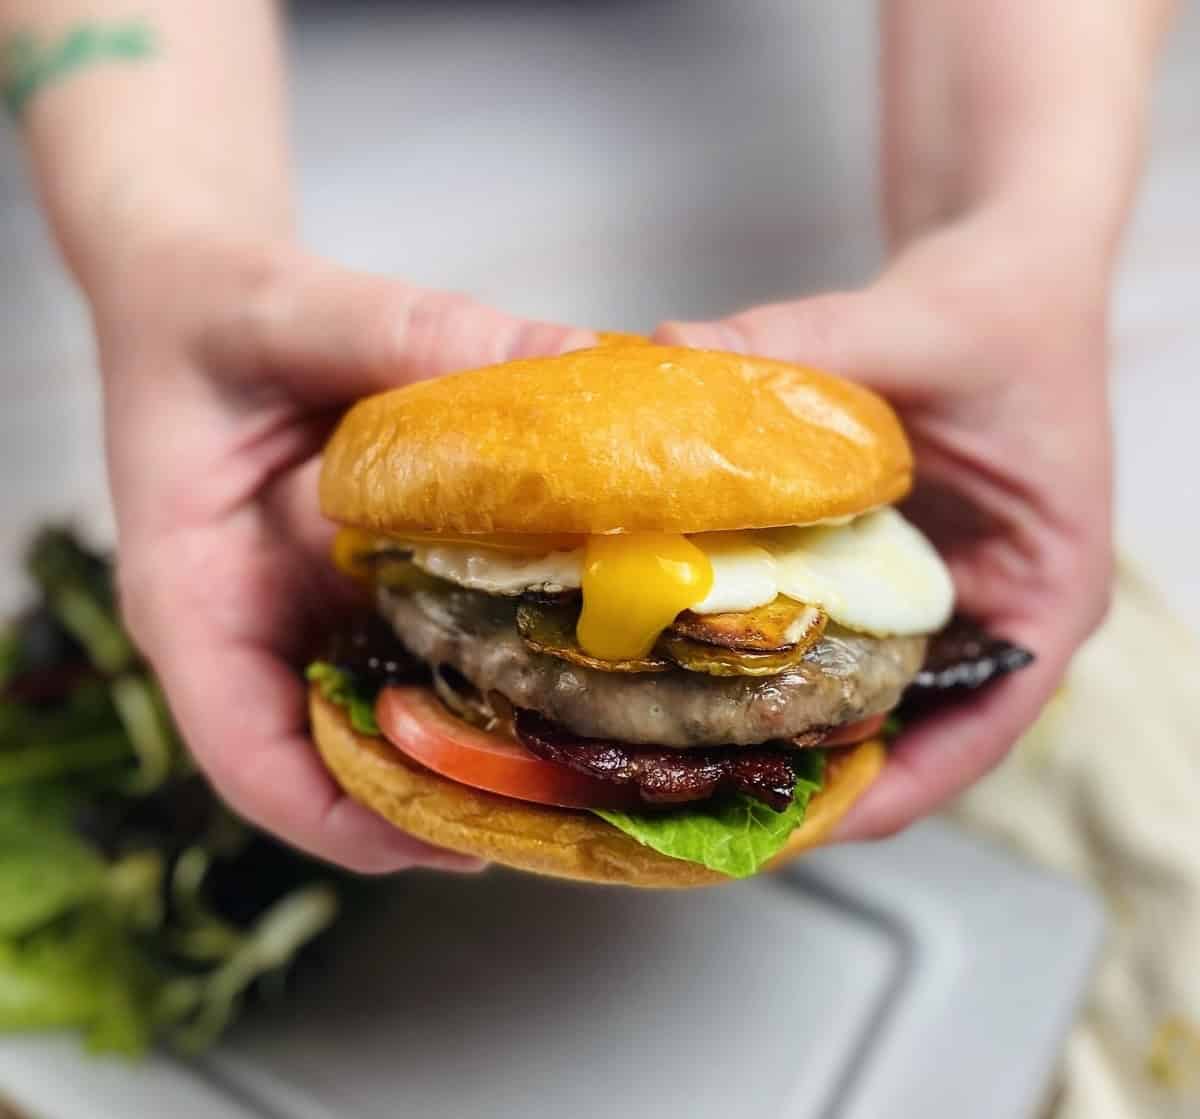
column 950, row 751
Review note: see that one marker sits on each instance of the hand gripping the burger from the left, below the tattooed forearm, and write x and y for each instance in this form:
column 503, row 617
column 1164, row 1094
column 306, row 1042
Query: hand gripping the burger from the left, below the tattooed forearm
column 225, row 369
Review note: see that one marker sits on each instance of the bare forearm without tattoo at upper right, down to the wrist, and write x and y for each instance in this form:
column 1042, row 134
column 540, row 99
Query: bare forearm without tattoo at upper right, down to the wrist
column 987, row 110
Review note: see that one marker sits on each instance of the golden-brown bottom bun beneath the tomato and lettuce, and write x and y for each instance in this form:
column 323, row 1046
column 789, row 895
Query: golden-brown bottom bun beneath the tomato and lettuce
column 560, row 842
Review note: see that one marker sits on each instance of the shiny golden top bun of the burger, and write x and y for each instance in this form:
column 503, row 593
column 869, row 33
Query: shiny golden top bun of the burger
column 622, row 438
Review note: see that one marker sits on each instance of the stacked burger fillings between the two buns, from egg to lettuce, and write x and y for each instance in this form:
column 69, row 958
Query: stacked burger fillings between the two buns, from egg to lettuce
column 687, row 689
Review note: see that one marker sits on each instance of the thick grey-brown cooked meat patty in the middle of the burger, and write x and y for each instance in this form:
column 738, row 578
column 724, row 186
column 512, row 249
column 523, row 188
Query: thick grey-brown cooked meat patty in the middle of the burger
column 845, row 678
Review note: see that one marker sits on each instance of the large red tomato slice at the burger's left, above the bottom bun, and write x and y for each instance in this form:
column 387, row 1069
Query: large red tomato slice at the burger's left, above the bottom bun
column 415, row 721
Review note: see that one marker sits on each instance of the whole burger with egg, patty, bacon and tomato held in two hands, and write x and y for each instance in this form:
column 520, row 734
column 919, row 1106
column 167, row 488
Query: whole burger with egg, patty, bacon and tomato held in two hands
column 640, row 613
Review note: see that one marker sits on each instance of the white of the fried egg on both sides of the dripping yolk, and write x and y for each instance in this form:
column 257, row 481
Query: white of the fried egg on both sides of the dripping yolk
column 877, row 573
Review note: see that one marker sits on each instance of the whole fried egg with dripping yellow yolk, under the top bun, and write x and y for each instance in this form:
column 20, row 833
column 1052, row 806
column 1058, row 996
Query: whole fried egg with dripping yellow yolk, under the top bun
column 877, row 575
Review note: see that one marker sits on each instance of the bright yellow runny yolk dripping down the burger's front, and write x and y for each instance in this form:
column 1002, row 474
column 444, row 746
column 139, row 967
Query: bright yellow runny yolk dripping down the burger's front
column 634, row 585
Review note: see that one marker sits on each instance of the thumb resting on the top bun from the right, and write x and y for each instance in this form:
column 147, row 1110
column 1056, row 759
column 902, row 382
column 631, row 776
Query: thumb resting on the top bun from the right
column 874, row 337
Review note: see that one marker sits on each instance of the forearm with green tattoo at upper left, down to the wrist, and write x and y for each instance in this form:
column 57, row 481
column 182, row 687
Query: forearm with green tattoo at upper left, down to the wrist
column 184, row 139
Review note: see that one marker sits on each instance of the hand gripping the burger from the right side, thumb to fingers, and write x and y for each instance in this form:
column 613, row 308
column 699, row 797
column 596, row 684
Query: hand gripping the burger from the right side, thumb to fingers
column 991, row 344
